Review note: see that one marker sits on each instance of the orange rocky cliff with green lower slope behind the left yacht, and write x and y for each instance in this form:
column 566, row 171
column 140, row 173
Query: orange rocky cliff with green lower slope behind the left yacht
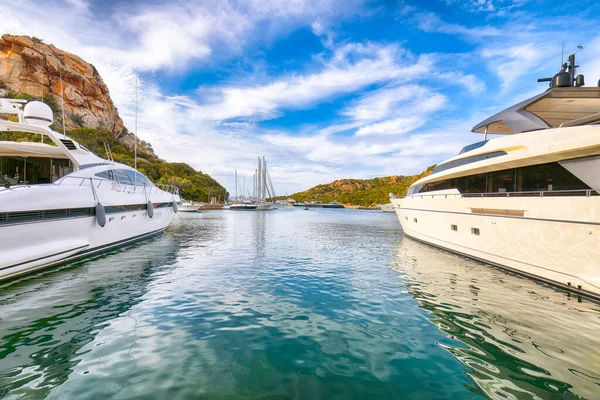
column 27, row 65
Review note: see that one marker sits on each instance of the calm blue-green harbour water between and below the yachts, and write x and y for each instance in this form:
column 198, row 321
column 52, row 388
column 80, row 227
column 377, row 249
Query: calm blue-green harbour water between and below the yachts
column 330, row 304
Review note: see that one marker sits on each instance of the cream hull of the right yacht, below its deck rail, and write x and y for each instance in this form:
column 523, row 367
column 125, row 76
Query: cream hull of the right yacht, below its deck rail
column 552, row 239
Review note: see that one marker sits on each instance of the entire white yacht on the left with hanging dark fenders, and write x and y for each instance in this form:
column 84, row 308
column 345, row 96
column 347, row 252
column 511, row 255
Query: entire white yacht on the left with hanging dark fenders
column 59, row 201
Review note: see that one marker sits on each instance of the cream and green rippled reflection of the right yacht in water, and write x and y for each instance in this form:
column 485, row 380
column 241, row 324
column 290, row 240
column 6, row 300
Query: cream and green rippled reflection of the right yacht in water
column 521, row 339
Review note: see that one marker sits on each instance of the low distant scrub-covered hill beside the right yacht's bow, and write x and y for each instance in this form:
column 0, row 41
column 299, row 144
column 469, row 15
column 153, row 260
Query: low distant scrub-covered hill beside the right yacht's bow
column 361, row 192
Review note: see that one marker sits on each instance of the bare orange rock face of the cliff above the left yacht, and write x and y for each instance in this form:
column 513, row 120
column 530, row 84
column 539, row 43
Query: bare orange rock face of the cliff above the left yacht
column 30, row 66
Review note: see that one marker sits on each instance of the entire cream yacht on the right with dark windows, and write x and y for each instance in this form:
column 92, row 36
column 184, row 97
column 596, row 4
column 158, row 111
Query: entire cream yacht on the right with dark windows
column 527, row 201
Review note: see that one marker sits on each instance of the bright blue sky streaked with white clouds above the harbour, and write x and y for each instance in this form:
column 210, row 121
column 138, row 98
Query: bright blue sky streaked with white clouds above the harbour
column 324, row 89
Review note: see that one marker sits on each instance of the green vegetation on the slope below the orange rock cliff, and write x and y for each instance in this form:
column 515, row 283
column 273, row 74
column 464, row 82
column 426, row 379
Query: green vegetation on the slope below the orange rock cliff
column 192, row 184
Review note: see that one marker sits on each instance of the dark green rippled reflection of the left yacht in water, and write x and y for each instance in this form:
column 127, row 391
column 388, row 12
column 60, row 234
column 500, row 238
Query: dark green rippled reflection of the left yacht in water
column 47, row 321
